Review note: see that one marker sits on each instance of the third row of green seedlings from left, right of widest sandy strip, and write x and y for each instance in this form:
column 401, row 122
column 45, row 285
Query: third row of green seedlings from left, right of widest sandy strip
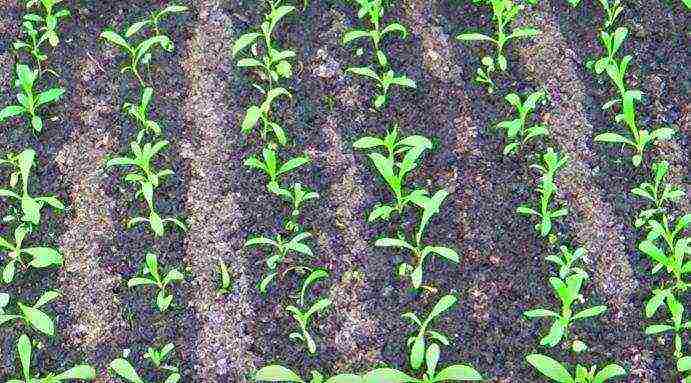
column 288, row 250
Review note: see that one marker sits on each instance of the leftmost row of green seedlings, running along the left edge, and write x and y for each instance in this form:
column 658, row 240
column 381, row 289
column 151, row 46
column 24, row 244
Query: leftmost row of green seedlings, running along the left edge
column 25, row 215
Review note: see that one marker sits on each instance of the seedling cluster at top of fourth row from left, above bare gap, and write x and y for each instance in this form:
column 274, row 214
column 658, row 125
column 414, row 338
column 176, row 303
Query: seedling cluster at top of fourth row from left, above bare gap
column 373, row 11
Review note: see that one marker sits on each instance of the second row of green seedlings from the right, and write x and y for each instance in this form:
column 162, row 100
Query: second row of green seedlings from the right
column 570, row 277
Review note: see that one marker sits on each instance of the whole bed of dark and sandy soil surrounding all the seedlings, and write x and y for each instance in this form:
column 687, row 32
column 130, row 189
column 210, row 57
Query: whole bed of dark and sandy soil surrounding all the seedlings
column 200, row 97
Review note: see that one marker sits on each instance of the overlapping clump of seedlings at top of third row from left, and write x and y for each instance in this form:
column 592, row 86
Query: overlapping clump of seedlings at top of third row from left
column 272, row 66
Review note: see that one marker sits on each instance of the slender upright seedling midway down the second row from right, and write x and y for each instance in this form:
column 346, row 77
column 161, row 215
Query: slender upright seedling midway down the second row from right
column 547, row 189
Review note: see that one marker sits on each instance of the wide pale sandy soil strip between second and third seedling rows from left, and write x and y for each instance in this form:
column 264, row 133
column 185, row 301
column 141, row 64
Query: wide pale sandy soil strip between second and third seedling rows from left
column 222, row 350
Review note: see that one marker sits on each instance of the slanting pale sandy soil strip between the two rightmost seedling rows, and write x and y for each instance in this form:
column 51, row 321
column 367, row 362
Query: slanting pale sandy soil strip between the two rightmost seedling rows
column 552, row 63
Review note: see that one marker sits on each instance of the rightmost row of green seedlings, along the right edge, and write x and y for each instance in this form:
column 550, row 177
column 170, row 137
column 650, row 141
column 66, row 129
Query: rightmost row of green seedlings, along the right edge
column 665, row 243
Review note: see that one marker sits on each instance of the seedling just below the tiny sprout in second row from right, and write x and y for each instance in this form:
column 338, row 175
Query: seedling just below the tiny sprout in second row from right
column 516, row 131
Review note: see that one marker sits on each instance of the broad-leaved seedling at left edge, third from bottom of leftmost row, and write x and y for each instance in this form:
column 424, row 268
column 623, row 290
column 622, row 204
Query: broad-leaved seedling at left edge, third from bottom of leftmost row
column 41, row 257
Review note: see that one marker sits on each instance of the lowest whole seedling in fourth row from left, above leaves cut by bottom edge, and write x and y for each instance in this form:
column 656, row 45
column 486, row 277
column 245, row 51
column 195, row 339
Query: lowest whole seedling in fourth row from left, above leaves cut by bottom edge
column 416, row 342
